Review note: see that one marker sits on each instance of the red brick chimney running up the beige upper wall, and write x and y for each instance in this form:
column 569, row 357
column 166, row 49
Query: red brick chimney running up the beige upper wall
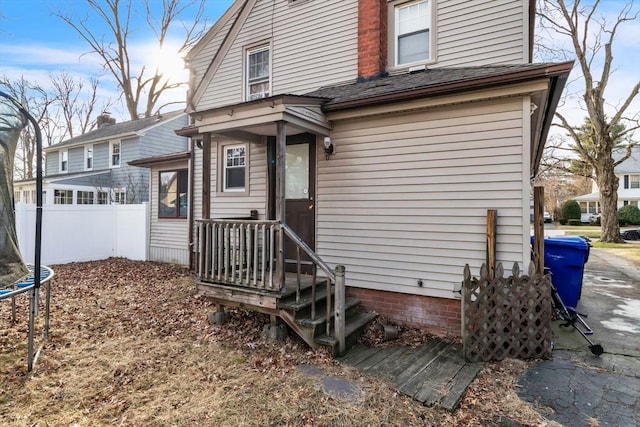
column 372, row 39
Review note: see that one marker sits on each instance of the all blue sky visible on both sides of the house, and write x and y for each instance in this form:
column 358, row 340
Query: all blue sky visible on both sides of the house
column 34, row 43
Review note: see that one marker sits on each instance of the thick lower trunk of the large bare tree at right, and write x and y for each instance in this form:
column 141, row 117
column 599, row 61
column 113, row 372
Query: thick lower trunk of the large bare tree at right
column 608, row 185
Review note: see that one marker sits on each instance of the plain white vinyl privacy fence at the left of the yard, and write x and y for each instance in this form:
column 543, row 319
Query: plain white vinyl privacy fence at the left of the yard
column 73, row 233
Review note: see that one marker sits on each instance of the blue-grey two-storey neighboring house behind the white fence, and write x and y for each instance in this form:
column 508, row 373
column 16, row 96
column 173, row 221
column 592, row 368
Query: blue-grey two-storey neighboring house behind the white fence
column 92, row 168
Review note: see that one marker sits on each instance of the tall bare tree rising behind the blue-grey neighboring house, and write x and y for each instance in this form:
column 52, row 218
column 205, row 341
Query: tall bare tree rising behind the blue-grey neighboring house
column 114, row 48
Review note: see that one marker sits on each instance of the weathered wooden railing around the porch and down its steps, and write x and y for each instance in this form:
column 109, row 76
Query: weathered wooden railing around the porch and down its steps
column 248, row 253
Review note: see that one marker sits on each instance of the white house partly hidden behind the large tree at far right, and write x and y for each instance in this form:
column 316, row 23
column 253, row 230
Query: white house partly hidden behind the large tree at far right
column 628, row 173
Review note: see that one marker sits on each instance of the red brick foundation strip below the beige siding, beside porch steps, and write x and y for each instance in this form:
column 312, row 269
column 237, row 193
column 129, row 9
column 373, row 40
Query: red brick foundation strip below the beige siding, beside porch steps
column 439, row 316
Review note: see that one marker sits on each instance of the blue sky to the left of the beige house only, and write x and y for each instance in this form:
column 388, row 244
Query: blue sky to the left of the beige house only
column 34, row 42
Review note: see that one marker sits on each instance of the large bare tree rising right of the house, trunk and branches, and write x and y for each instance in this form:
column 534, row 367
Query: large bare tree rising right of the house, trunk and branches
column 591, row 38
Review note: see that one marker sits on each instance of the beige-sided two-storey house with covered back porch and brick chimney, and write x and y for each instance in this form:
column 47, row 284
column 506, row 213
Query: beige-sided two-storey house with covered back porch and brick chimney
column 377, row 132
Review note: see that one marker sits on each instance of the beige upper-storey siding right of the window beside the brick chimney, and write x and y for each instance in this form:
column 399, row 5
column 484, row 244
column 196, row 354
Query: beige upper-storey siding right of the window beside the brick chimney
column 480, row 33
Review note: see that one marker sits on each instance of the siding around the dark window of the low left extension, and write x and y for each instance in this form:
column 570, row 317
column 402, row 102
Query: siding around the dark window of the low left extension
column 169, row 238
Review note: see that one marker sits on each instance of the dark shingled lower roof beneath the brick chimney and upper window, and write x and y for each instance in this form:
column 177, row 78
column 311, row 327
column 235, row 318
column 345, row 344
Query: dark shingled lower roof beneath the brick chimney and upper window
column 434, row 80
